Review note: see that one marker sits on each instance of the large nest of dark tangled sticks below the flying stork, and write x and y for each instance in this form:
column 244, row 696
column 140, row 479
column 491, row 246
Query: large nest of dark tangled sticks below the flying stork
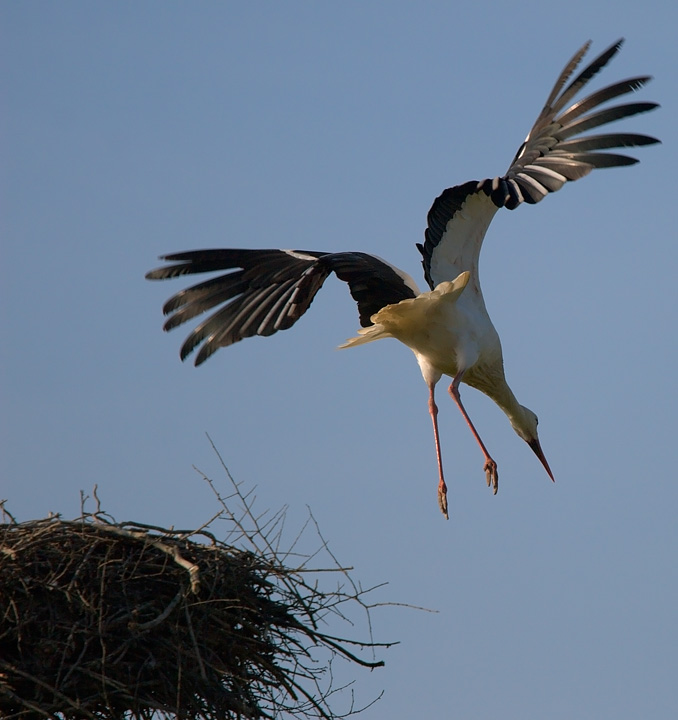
column 100, row 619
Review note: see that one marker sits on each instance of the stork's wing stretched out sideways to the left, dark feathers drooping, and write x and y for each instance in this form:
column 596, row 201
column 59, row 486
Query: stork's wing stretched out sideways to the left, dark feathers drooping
column 269, row 290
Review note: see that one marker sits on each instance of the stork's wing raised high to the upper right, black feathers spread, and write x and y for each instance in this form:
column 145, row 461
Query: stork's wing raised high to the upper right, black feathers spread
column 554, row 152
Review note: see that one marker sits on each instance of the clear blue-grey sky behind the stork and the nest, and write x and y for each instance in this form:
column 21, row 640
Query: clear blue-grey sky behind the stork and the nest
column 132, row 129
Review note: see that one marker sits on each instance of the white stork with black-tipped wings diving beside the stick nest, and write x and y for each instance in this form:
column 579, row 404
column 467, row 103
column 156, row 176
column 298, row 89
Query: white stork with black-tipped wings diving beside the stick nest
column 447, row 327
